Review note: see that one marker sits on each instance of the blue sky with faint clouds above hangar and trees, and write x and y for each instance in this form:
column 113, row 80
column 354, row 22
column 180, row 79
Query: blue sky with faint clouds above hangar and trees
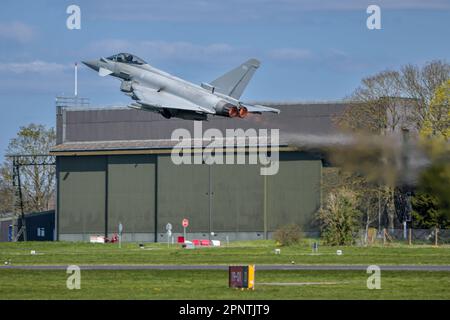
column 310, row 50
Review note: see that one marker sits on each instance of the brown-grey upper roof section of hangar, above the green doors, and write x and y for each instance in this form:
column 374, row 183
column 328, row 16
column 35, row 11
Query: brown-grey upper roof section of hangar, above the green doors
column 82, row 130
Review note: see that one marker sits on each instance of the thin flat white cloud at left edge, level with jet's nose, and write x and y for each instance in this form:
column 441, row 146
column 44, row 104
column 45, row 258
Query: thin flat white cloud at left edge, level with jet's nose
column 33, row 67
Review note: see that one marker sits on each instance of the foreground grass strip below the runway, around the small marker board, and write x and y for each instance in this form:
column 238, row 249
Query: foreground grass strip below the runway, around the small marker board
column 207, row 284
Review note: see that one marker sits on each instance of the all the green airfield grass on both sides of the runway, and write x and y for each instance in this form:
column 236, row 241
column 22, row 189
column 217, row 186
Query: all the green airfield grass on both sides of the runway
column 213, row 284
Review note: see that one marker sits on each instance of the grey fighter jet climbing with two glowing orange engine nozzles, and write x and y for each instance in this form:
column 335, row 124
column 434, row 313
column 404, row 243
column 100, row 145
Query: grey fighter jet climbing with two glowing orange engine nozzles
column 157, row 91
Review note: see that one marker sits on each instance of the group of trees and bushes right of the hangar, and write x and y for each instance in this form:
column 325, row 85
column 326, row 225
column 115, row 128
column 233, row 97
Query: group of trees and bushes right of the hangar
column 369, row 185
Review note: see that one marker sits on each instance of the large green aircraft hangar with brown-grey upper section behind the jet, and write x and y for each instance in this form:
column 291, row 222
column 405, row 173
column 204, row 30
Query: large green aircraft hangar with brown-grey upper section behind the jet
column 114, row 166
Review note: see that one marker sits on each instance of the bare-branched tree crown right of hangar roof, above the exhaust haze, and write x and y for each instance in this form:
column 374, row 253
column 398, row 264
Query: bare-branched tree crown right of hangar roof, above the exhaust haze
column 391, row 99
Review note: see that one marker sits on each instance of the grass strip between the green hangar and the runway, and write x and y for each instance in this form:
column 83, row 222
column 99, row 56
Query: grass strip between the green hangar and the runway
column 245, row 252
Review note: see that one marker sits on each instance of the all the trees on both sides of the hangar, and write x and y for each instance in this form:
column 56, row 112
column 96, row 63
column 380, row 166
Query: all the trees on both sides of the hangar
column 364, row 189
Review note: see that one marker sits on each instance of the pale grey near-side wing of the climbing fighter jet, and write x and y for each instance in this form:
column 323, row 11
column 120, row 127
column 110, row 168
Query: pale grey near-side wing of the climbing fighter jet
column 160, row 99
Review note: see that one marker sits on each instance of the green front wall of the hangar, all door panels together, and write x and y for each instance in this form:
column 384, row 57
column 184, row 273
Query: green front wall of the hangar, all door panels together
column 131, row 188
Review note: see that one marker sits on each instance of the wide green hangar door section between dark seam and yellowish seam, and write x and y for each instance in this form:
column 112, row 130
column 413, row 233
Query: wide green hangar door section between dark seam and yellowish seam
column 215, row 198
